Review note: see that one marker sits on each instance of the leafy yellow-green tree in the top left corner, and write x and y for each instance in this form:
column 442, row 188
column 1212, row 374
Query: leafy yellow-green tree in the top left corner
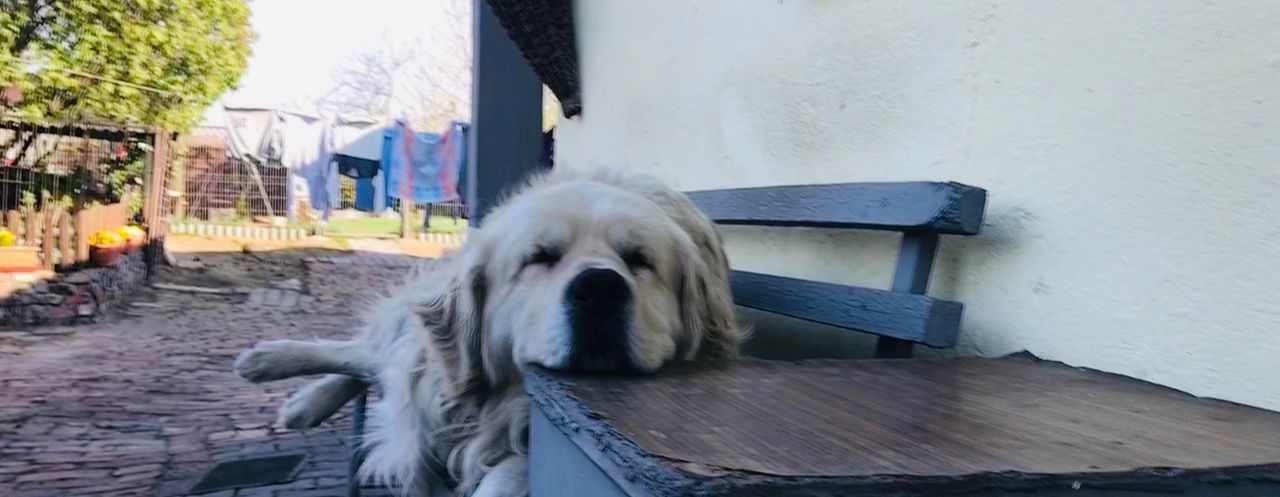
column 144, row 62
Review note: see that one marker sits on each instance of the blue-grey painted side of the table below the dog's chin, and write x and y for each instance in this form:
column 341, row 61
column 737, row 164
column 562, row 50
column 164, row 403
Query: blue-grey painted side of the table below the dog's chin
column 557, row 468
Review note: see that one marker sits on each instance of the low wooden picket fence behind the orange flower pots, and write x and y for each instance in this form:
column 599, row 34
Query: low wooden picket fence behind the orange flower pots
column 63, row 238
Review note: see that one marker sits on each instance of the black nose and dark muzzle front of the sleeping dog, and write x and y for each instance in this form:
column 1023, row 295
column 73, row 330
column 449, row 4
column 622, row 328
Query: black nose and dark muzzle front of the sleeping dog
column 600, row 306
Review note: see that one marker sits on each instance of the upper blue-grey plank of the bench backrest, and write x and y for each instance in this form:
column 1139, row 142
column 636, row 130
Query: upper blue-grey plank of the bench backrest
column 927, row 207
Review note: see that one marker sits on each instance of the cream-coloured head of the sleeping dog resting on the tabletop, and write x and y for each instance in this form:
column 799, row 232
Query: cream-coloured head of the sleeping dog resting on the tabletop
column 605, row 273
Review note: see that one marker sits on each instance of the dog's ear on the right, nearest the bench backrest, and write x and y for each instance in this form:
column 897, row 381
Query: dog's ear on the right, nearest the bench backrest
column 707, row 306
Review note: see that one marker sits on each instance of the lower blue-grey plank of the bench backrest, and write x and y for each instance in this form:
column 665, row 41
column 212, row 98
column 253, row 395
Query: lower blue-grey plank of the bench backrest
column 907, row 317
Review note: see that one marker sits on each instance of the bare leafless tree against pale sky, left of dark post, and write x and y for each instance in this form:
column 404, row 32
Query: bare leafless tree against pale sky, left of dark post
column 427, row 81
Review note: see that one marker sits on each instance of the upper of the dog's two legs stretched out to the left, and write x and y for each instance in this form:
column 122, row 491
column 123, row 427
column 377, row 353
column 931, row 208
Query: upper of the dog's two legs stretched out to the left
column 281, row 359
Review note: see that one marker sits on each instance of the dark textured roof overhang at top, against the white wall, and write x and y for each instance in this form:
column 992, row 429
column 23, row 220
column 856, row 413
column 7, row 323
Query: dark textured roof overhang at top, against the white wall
column 543, row 31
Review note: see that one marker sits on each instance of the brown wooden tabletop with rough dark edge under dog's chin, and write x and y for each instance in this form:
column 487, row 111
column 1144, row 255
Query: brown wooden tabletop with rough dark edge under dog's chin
column 971, row 427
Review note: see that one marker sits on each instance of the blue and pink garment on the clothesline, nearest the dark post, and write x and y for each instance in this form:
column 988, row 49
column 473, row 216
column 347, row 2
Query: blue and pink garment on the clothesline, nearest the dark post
column 423, row 167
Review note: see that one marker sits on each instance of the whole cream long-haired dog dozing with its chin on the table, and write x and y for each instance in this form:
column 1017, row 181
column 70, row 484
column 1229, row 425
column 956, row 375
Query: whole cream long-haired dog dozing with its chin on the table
column 596, row 273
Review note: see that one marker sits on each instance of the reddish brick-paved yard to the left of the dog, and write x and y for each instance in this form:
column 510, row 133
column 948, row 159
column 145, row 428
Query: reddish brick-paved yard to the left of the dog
column 145, row 405
